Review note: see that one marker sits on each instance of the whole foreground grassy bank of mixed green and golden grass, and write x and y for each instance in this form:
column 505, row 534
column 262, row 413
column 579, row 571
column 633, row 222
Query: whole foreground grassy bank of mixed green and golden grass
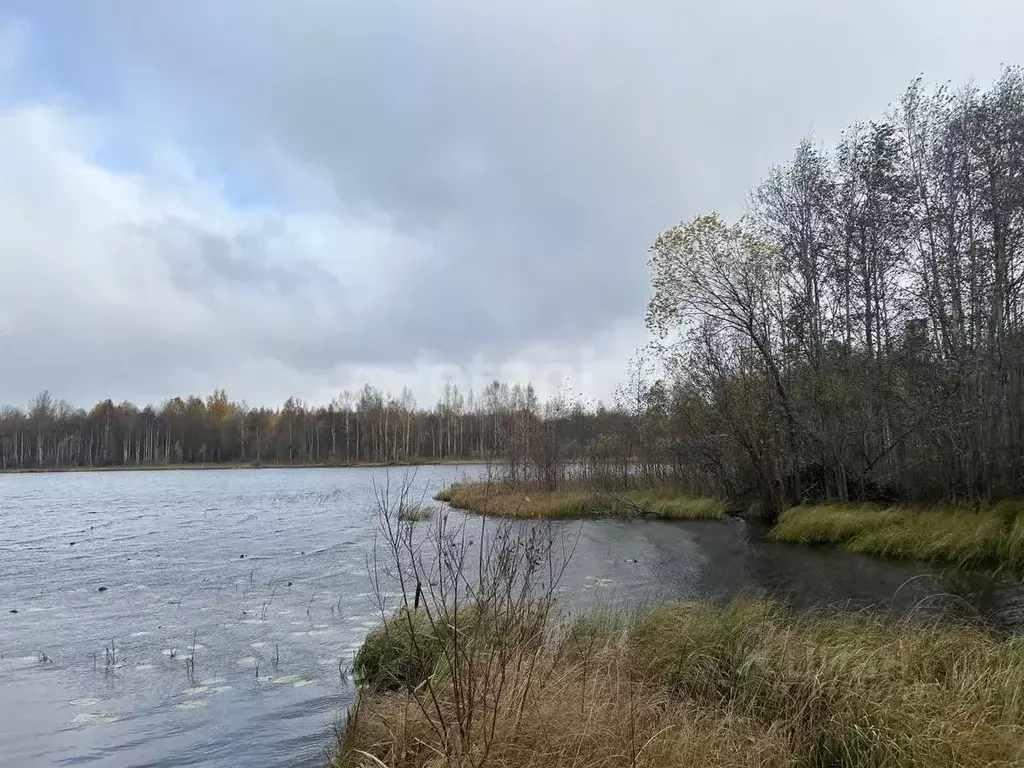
column 748, row 685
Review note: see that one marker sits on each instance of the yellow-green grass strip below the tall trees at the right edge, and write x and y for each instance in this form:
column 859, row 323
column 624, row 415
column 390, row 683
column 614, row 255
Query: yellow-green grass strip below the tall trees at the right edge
column 962, row 537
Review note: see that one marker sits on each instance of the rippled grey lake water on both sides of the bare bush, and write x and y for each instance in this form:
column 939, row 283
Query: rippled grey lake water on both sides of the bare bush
column 169, row 546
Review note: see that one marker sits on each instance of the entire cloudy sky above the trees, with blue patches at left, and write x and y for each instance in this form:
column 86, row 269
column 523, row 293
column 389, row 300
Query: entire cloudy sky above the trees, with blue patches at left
column 295, row 198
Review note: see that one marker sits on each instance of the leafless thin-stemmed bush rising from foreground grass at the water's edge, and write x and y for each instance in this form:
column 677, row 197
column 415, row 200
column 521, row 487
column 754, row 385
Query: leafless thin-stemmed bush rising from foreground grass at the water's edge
column 466, row 608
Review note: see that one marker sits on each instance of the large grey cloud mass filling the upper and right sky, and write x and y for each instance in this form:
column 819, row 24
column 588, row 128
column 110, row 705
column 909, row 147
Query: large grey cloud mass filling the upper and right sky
column 534, row 149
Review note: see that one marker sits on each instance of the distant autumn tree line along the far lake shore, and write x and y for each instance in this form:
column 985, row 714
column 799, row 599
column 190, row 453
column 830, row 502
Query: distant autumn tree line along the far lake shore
column 369, row 426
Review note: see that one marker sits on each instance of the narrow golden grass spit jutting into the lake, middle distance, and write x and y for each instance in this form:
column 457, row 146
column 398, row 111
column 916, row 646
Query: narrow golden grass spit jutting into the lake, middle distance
column 507, row 500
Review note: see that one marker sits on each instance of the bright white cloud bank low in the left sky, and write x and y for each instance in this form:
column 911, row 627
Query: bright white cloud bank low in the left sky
column 145, row 285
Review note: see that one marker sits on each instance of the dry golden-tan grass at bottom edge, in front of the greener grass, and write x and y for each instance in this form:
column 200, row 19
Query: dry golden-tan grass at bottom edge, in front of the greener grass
column 569, row 720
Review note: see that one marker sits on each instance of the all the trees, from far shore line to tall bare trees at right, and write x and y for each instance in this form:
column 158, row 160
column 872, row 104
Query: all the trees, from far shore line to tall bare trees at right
column 858, row 335
